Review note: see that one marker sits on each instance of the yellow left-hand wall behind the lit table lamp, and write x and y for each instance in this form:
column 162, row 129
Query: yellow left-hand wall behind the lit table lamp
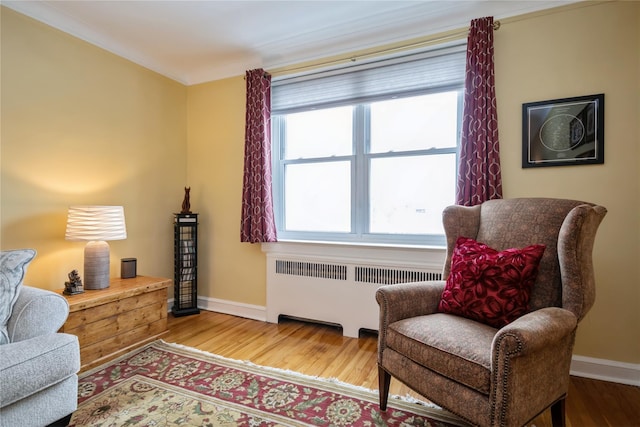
column 83, row 126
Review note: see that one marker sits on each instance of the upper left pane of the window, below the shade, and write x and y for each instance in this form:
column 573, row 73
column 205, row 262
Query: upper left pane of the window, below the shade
column 319, row 133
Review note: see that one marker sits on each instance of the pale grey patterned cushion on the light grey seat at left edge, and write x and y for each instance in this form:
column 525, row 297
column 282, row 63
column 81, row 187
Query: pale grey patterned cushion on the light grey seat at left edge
column 13, row 265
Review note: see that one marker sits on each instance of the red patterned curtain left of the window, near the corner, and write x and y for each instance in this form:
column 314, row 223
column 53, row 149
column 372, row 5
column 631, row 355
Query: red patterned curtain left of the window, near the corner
column 258, row 224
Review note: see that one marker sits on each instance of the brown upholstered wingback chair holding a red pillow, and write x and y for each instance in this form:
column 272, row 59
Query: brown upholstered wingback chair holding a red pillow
column 495, row 371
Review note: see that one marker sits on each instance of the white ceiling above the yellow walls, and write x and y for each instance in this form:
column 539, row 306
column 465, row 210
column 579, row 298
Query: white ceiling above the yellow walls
column 197, row 41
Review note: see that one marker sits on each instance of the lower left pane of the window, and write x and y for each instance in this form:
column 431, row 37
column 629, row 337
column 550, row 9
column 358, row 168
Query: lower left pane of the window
column 318, row 197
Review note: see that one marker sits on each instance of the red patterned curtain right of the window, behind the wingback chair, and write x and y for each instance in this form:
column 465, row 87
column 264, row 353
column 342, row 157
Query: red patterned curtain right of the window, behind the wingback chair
column 479, row 177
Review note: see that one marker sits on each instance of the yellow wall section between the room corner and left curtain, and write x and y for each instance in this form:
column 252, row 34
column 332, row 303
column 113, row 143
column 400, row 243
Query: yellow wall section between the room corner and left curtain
column 228, row 269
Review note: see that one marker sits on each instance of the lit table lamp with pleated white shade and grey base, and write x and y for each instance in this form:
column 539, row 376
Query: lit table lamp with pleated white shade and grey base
column 96, row 224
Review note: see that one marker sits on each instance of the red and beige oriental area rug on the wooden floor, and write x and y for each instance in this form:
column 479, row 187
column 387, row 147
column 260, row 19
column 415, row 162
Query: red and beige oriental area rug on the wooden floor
column 165, row 384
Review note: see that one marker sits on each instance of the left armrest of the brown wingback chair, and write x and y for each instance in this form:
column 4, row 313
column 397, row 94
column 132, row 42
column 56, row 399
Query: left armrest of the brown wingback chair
column 406, row 300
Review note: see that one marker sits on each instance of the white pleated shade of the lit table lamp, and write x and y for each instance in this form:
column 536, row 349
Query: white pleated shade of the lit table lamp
column 87, row 223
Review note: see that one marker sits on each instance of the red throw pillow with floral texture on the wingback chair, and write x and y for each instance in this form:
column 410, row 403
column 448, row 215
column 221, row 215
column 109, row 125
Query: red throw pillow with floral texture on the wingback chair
column 490, row 286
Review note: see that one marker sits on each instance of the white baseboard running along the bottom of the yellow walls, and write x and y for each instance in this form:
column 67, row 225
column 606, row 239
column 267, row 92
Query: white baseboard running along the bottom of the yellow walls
column 581, row 366
